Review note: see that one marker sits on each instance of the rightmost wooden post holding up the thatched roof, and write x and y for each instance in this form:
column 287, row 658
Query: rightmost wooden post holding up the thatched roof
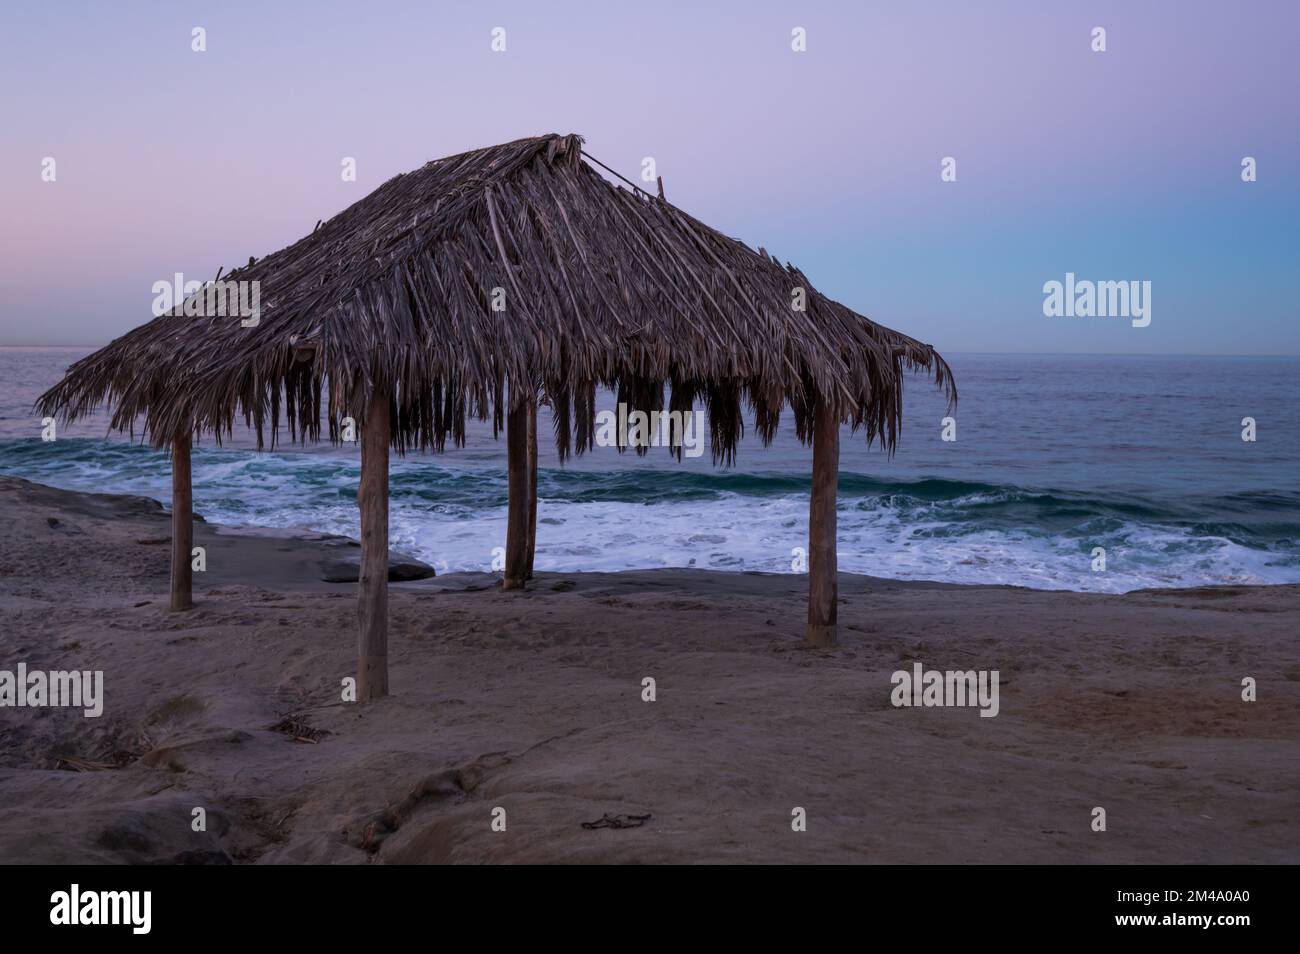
column 824, row 563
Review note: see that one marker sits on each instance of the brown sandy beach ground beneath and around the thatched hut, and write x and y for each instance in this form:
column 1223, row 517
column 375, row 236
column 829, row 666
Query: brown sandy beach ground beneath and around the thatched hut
column 532, row 703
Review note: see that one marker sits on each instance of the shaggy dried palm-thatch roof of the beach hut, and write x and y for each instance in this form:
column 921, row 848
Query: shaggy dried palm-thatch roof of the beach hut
column 603, row 287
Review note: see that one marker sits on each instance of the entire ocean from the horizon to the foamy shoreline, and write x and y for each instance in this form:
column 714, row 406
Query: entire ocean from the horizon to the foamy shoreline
column 1055, row 456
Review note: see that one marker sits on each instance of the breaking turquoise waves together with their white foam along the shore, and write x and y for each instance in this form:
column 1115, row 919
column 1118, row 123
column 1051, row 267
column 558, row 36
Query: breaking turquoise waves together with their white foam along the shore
column 636, row 517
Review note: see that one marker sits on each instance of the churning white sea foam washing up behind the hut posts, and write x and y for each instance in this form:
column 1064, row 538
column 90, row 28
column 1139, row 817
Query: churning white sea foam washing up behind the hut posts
column 454, row 519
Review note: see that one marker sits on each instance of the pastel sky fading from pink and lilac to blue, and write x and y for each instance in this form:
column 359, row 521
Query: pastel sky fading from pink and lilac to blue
column 1117, row 166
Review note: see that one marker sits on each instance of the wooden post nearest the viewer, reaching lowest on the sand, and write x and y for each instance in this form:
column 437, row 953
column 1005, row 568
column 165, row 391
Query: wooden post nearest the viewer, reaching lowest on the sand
column 372, row 498
